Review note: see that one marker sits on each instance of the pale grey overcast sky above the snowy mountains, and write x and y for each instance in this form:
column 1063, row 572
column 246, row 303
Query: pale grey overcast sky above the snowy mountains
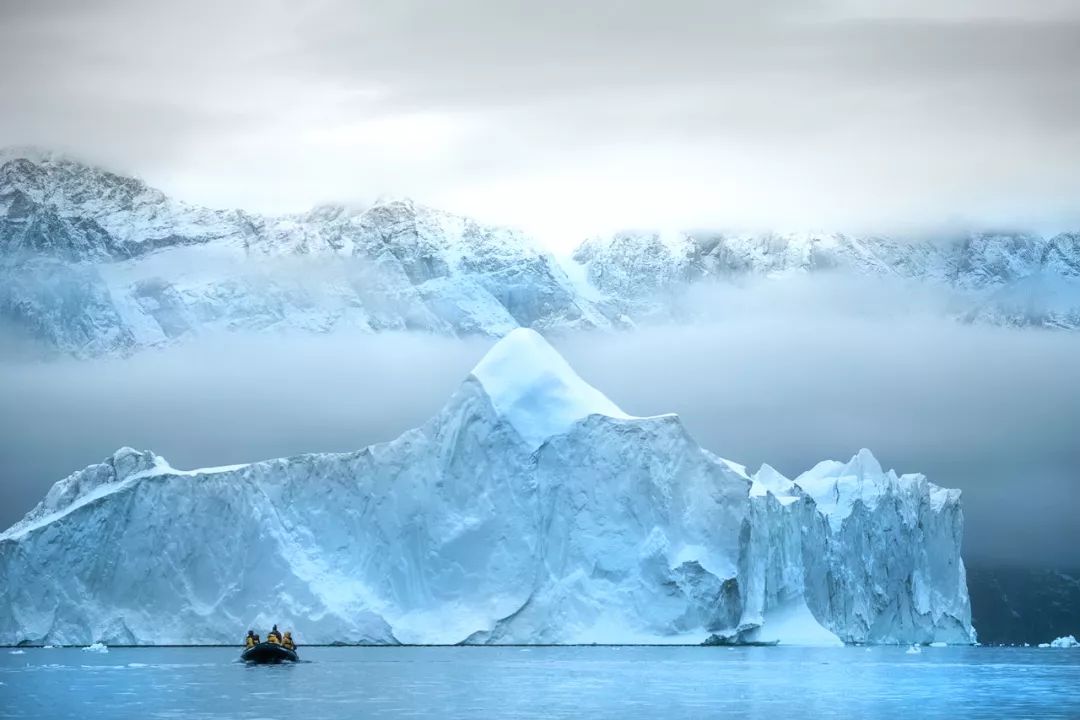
column 566, row 117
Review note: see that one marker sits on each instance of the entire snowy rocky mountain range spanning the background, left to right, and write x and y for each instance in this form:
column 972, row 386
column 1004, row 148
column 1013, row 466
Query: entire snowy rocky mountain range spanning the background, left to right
column 97, row 264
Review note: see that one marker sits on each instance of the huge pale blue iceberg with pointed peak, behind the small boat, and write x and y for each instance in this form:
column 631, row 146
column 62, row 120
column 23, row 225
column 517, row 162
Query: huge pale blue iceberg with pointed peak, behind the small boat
column 531, row 510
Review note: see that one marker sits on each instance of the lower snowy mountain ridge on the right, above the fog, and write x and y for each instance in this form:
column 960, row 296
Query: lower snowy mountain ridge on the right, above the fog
column 1005, row 279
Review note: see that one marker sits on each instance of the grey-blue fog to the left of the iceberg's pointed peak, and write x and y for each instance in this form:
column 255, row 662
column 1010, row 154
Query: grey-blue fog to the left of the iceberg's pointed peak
column 232, row 400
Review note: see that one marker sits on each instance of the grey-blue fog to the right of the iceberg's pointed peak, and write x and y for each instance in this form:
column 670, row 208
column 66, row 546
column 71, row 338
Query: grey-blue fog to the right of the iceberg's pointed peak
column 993, row 412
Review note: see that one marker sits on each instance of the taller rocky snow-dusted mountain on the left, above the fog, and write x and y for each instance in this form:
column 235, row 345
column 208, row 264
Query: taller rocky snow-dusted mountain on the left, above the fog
column 93, row 263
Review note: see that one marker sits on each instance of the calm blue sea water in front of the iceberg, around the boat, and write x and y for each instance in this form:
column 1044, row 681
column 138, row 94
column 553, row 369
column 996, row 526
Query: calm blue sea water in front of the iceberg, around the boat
column 545, row 683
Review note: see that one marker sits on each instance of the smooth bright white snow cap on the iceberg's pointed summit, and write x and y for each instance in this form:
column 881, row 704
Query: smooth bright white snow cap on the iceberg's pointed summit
column 535, row 389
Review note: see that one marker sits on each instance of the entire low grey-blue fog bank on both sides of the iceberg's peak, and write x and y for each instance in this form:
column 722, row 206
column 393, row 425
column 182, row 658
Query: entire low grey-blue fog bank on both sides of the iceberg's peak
column 993, row 412
